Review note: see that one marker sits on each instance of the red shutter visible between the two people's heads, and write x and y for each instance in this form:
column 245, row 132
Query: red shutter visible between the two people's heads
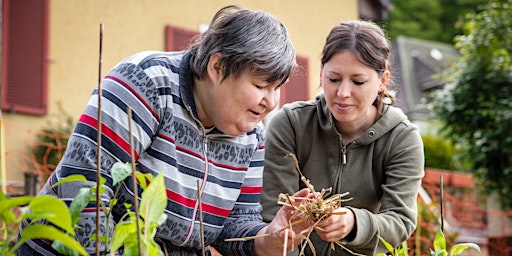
column 297, row 88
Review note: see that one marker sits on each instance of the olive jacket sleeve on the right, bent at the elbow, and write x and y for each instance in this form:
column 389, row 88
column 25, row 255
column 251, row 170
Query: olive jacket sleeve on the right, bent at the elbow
column 397, row 217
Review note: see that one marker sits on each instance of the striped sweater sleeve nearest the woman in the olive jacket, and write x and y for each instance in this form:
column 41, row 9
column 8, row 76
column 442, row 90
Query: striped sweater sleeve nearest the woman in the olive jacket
column 245, row 218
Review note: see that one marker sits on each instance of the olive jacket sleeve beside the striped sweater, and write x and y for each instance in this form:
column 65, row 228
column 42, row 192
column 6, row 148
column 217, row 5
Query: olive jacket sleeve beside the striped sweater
column 280, row 173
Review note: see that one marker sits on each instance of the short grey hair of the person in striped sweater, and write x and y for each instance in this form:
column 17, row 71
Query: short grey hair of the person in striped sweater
column 248, row 41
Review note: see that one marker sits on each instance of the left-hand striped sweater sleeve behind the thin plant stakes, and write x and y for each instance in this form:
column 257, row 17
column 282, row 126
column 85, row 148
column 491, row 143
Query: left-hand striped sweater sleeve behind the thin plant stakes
column 126, row 86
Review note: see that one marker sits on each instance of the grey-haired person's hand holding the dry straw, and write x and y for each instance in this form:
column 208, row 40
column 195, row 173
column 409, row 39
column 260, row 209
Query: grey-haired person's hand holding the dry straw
column 273, row 244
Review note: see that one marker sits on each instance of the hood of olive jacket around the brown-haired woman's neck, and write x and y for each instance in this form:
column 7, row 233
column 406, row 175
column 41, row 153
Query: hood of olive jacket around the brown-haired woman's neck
column 389, row 119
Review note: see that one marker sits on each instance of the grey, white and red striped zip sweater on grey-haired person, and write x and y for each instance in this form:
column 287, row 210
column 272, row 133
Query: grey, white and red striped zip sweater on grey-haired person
column 168, row 139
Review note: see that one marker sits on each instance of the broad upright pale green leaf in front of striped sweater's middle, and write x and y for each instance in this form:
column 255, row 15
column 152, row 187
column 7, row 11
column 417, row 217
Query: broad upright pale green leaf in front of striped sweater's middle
column 154, row 200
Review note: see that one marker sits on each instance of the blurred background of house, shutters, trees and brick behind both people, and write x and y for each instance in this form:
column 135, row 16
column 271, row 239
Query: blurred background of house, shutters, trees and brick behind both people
column 50, row 65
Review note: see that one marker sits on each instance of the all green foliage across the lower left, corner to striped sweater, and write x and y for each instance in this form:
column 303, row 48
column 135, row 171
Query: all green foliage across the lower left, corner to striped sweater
column 61, row 221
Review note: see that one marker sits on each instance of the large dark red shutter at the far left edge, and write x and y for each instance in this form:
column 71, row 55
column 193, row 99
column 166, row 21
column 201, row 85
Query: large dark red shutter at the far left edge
column 24, row 53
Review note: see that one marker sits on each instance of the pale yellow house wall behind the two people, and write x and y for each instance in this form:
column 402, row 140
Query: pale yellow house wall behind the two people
column 135, row 25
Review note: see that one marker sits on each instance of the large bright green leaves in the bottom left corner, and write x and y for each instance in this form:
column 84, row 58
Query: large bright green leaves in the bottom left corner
column 33, row 209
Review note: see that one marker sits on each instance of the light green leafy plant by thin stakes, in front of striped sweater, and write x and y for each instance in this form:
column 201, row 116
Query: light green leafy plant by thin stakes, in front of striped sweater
column 152, row 206
